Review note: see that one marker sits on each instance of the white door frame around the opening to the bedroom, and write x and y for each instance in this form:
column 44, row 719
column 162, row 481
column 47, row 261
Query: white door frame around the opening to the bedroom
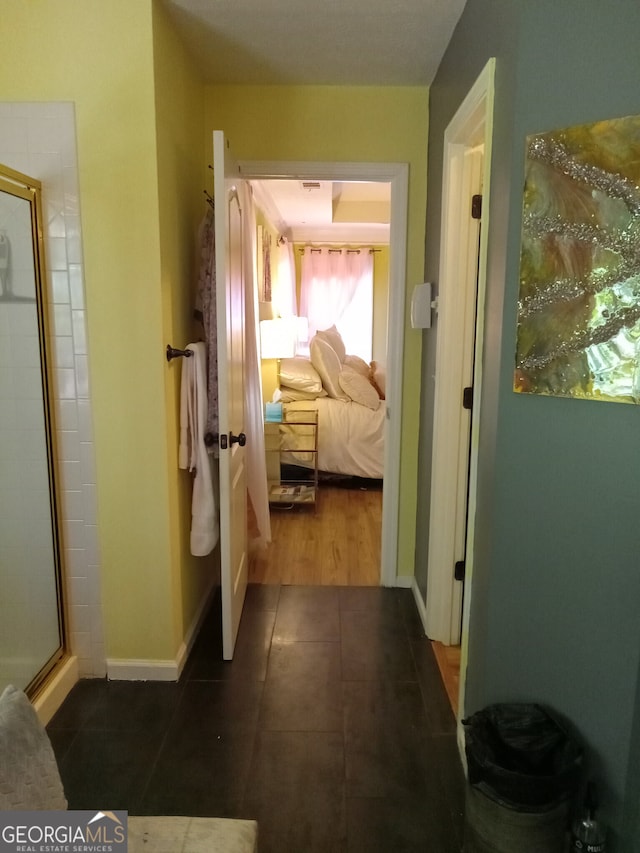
column 397, row 175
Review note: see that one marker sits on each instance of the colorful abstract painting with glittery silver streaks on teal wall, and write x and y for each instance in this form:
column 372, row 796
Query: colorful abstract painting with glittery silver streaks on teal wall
column 579, row 306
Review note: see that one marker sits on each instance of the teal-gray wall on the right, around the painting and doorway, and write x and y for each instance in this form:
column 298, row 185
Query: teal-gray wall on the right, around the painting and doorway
column 555, row 613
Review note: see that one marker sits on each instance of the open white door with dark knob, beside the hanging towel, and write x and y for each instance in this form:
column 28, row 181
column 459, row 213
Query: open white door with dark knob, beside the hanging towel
column 230, row 234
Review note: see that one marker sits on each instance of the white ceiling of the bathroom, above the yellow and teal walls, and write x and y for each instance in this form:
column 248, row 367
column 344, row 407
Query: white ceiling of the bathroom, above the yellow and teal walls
column 317, row 42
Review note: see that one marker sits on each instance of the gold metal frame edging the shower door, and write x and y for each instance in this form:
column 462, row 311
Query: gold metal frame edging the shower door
column 22, row 186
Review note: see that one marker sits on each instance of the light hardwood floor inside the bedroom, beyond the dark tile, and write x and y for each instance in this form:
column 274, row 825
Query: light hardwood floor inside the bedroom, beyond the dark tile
column 337, row 545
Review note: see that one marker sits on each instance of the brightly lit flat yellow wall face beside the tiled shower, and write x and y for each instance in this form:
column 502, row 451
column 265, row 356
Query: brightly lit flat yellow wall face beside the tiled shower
column 77, row 51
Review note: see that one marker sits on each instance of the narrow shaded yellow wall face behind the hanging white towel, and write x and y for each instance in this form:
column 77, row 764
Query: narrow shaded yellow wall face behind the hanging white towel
column 182, row 176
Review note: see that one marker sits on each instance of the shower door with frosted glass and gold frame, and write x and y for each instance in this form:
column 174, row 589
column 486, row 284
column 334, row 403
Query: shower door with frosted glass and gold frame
column 31, row 610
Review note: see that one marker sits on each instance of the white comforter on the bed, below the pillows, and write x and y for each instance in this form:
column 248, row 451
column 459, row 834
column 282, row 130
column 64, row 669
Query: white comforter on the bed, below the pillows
column 350, row 437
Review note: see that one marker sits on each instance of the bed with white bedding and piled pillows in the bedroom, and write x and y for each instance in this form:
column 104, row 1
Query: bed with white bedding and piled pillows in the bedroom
column 348, row 395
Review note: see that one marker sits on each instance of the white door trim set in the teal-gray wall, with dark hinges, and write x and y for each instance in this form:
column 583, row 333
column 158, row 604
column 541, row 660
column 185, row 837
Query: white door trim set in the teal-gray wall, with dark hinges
column 469, row 131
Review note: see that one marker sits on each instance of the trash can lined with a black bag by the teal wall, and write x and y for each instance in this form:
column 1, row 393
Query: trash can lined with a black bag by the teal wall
column 523, row 769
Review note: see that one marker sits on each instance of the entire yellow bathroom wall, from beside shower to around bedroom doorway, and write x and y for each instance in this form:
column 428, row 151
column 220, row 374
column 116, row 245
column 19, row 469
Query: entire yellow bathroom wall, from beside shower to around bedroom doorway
column 132, row 153
